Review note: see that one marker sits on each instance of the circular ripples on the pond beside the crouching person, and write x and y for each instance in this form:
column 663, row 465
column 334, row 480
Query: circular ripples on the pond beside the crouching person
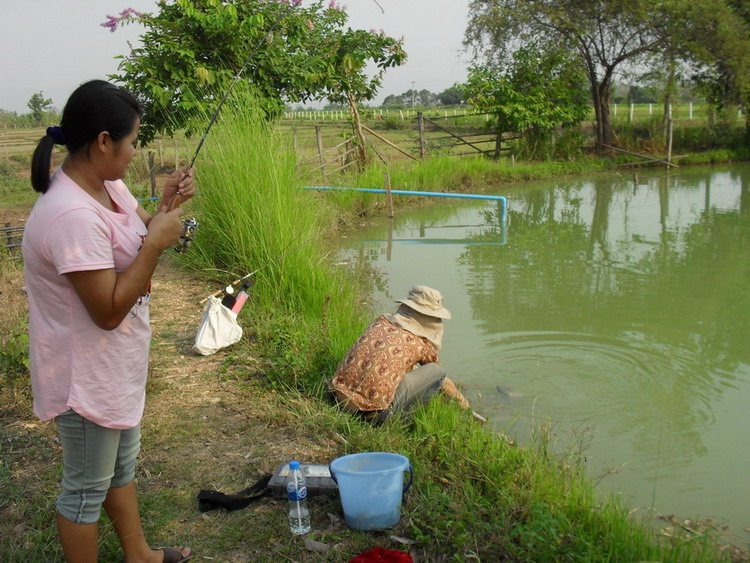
column 586, row 379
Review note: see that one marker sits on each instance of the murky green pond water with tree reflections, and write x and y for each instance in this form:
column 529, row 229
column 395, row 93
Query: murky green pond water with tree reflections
column 615, row 310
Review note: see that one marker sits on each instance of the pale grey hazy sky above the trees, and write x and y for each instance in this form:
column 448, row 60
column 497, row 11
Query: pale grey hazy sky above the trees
column 52, row 46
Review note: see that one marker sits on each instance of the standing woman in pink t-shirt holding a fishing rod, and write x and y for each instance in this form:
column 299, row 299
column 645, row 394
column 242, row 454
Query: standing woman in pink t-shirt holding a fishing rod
column 89, row 253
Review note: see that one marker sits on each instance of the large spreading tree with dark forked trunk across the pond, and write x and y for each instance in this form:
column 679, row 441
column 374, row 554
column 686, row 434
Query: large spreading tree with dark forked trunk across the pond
column 605, row 35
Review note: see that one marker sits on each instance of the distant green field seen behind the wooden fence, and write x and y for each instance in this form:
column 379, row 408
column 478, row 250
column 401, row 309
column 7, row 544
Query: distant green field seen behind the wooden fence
column 397, row 127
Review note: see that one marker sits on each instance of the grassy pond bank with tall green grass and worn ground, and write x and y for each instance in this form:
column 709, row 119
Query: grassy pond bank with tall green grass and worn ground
column 476, row 496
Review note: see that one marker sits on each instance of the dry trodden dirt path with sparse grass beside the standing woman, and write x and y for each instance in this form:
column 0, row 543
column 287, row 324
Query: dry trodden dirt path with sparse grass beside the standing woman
column 212, row 423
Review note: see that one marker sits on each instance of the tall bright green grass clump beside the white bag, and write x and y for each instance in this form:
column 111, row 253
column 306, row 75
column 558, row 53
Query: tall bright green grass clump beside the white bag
column 254, row 218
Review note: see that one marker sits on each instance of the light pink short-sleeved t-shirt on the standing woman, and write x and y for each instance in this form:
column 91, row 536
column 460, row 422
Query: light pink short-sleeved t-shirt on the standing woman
column 100, row 374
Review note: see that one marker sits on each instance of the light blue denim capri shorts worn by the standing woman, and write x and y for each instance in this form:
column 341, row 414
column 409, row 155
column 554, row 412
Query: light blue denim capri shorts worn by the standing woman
column 95, row 459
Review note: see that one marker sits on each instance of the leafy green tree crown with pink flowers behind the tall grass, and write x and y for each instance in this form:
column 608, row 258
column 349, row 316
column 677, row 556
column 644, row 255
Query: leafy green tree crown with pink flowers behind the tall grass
column 193, row 49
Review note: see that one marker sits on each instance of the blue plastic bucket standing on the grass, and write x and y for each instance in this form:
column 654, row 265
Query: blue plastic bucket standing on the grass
column 371, row 486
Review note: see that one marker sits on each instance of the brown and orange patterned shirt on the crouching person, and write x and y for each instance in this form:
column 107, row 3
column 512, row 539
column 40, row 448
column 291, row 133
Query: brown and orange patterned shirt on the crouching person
column 377, row 362
